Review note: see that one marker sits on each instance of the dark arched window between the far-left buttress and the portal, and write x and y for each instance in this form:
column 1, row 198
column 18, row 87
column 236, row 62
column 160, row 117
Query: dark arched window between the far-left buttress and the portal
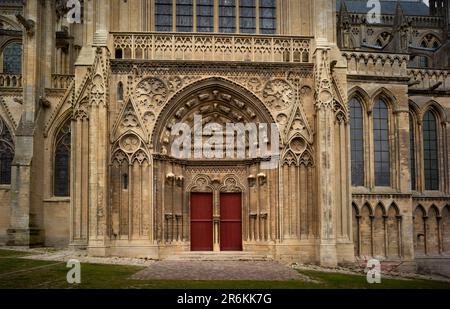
column 61, row 178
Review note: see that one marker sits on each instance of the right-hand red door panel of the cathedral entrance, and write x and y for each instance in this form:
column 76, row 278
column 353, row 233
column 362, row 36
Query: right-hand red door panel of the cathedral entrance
column 230, row 222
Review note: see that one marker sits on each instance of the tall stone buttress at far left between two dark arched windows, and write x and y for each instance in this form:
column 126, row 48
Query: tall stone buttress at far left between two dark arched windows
column 26, row 198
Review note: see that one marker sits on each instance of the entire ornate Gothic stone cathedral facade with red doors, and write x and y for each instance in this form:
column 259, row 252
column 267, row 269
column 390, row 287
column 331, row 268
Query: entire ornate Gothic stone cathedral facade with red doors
column 92, row 95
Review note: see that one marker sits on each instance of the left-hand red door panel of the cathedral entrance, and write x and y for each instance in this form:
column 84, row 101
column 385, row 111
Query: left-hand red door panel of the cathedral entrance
column 201, row 222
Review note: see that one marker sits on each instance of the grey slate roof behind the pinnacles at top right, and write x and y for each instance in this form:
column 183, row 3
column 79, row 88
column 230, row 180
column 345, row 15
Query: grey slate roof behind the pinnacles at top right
column 410, row 7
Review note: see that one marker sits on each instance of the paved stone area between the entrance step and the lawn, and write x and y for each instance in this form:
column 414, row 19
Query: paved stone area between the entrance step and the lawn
column 218, row 270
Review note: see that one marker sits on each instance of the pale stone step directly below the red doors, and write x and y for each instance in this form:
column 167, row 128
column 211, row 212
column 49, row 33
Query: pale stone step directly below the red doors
column 220, row 256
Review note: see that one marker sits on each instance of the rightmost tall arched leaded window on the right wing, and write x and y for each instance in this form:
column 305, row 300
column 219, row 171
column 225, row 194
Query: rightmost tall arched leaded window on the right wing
column 430, row 151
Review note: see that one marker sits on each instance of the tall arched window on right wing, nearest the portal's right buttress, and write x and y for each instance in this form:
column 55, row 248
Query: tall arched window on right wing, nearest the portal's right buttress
column 357, row 142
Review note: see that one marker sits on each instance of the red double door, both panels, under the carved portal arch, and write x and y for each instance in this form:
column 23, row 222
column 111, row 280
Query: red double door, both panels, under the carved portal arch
column 202, row 222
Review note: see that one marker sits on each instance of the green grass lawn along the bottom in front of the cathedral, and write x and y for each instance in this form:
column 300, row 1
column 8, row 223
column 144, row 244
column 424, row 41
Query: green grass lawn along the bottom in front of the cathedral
column 25, row 273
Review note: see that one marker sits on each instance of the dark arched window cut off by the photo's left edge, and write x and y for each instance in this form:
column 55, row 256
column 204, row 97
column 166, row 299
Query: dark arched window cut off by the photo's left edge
column 6, row 154
